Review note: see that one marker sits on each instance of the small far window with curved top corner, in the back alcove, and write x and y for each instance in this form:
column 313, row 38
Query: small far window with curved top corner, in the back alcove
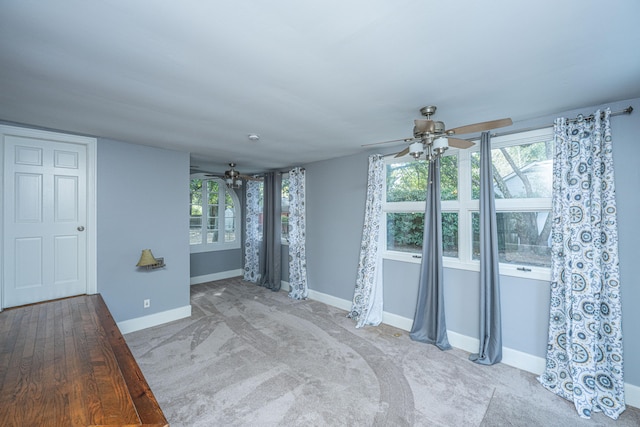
column 214, row 215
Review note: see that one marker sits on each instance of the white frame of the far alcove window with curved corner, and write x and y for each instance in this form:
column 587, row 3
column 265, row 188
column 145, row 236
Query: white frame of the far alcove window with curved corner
column 223, row 190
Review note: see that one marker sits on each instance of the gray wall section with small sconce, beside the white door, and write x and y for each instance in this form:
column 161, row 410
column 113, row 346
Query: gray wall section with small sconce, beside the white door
column 142, row 195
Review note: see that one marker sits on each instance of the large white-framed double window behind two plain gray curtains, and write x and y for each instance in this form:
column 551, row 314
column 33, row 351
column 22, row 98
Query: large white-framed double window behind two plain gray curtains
column 522, row 175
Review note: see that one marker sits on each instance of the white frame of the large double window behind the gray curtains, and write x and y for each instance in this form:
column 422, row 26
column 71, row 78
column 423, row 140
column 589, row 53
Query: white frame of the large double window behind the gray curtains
column 465, row 205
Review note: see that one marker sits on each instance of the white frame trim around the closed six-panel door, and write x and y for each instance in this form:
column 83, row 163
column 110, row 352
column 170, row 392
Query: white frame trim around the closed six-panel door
column 91, row 228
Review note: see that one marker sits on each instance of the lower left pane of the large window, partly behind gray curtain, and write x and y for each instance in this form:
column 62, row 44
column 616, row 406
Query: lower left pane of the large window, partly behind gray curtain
column 405, row 232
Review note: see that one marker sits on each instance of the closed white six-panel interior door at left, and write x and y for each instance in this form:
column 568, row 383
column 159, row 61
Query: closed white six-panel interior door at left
column 45, row 215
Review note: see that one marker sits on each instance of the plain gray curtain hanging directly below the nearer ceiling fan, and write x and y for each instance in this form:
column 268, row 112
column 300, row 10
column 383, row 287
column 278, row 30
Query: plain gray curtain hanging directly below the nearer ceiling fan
column 429, row 324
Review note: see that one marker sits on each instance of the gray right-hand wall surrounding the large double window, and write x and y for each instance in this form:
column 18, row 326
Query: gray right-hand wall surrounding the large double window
column 336, row 191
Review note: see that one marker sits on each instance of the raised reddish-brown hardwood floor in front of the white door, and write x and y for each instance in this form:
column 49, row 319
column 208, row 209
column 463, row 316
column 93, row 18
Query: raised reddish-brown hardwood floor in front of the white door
column 65, row 363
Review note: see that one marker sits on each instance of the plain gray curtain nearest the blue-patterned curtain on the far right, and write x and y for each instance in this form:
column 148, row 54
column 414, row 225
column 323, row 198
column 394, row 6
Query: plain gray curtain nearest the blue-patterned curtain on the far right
column 490, row 350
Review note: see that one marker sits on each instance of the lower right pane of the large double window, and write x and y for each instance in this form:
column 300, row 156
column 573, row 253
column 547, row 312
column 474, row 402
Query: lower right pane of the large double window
column 523, row 237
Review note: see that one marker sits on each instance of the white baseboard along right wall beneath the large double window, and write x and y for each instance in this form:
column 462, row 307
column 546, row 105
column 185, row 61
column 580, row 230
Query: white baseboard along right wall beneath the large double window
column 517, row 359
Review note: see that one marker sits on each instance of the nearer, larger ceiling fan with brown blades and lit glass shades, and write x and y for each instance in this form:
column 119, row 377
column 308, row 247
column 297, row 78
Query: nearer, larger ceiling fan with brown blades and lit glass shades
column 432, row 138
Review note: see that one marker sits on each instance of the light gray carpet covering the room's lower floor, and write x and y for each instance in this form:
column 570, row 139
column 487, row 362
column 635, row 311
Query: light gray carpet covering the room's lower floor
column 252, row 357
